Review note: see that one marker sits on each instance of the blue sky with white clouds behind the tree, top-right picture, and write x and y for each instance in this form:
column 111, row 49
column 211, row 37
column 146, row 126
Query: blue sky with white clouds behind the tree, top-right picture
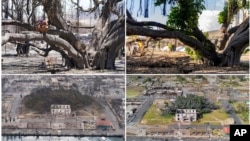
column 207, row 20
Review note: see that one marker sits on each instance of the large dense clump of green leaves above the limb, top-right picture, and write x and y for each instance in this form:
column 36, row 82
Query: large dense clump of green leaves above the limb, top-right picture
column 184, row 16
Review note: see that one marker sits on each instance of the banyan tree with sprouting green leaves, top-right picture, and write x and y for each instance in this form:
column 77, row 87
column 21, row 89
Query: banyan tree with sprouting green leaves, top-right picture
column 182, row 24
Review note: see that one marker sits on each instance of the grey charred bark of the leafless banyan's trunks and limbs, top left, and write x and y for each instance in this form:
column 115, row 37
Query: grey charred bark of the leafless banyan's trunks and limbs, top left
column 109, row 35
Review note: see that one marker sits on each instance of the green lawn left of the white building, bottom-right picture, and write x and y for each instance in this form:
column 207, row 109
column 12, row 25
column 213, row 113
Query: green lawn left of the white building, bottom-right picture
column 154, row 117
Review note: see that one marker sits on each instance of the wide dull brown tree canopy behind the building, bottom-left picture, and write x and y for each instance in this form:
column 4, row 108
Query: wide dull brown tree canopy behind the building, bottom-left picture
column 40, row 100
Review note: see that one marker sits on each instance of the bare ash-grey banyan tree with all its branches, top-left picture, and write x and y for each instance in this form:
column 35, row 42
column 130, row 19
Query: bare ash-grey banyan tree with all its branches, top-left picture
column 108, row 36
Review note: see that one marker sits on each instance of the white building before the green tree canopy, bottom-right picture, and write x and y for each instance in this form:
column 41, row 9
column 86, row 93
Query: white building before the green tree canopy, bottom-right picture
column 186, row 115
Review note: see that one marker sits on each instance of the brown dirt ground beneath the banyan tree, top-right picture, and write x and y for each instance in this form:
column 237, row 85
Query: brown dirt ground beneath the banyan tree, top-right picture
column 160, row 62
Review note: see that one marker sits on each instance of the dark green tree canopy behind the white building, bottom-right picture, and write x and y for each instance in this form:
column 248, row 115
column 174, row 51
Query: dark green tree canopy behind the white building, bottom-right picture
column 201, row 104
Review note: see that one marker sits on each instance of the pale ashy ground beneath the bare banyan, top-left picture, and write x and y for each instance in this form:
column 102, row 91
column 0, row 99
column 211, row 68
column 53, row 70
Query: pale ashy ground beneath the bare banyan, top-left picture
column 34, row 64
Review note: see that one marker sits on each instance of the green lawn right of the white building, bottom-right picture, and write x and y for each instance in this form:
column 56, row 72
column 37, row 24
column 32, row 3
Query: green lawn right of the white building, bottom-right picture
column 214, row 118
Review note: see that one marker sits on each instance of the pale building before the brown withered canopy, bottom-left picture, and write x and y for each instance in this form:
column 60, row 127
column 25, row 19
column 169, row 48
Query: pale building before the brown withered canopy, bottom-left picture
column 60, row 110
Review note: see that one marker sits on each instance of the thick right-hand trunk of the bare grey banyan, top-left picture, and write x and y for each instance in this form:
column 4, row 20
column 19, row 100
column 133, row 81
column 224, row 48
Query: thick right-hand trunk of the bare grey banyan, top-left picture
column 112, row 40
